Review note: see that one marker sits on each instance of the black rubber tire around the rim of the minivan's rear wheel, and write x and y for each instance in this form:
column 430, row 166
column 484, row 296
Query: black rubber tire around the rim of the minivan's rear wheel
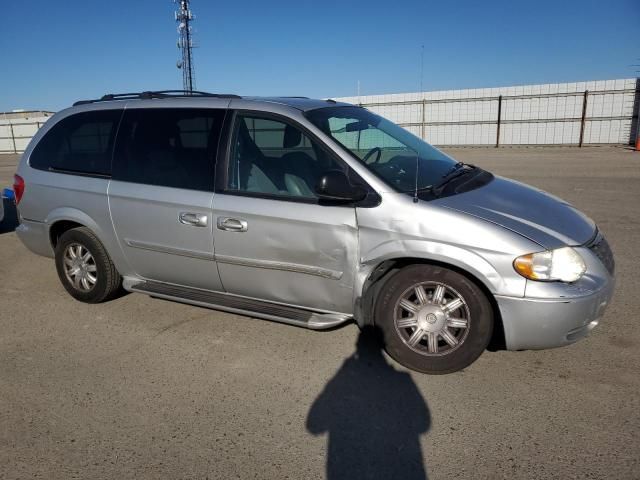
column 108, row 280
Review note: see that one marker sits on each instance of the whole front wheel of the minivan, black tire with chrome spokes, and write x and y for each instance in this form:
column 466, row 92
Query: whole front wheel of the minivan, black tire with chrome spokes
column 473, row 339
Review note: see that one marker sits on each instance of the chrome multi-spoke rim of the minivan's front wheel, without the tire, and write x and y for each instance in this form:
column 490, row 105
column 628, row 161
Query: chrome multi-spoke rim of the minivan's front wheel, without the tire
column 432, row 318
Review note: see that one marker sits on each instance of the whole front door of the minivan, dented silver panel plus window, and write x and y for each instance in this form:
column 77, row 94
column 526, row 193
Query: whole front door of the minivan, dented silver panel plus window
column 273, row 240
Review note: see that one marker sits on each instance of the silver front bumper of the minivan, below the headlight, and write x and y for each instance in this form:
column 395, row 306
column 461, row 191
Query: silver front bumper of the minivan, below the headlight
column 537, row 323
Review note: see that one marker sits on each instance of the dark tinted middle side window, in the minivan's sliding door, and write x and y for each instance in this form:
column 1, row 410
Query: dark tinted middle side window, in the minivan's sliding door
column 169, row 147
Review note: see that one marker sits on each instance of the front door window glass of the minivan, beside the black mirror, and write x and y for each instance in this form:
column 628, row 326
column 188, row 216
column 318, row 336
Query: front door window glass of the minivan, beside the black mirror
column 275, row 158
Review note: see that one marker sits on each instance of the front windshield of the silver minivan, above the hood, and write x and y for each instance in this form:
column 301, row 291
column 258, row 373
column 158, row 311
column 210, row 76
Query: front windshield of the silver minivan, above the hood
column 399, row 158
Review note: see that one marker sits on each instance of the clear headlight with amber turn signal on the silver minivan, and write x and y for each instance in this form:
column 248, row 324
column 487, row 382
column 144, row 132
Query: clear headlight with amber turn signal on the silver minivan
column 564, row 264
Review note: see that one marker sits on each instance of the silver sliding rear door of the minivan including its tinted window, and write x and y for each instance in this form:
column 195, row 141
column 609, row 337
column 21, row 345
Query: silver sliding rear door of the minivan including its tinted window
column 161, row 193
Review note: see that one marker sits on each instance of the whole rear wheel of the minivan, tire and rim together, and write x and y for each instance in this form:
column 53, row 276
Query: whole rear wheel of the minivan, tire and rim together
column 84, row 266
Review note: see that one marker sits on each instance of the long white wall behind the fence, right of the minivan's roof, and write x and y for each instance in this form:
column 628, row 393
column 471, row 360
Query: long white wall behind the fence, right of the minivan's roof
column 531, row 114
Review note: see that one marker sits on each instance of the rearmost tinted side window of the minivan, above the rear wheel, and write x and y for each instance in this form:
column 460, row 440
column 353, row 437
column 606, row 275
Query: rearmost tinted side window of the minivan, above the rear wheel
column 81, row 143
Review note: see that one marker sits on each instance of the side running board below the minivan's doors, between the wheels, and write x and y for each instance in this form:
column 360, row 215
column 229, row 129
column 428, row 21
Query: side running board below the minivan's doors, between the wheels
column 240, row 305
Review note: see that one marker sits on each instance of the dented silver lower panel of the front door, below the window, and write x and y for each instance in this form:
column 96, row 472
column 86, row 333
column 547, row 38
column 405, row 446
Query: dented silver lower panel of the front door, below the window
column 296, row 253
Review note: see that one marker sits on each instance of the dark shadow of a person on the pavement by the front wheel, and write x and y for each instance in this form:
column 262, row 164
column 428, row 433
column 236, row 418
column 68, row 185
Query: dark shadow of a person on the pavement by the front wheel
column 373, row 415
